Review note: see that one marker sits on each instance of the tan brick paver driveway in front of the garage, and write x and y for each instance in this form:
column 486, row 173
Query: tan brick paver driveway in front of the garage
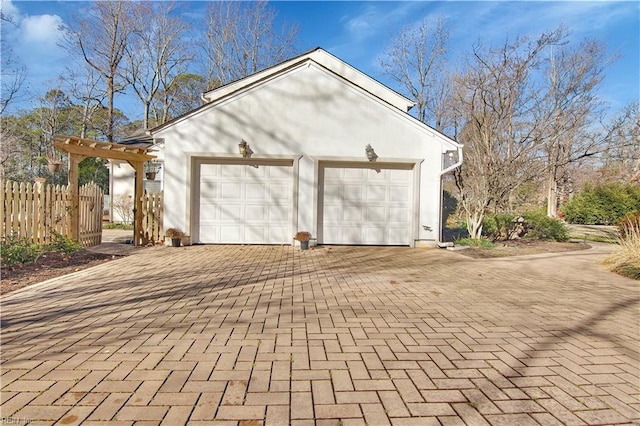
column 342, row 335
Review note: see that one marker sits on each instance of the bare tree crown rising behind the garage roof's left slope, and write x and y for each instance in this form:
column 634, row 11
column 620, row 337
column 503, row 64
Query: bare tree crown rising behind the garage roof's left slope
column 241, row 40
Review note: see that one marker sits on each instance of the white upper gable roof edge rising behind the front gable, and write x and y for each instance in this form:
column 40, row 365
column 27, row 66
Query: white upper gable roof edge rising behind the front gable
column 328, row 61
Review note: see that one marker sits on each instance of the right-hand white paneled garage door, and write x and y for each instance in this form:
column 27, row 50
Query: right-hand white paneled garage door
column 365, row 206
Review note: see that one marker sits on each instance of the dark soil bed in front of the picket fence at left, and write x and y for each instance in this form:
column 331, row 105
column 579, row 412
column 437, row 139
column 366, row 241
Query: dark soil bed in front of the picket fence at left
column 49, row 265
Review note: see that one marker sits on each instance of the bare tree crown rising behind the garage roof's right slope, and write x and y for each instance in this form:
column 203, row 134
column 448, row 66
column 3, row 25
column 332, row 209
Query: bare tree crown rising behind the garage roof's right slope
column 415, row 62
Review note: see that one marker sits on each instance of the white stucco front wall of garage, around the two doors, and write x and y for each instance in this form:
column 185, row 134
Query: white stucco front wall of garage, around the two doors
column 308, row 112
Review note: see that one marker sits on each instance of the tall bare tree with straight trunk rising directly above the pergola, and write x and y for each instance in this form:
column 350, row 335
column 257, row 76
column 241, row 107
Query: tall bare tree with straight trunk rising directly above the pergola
column 100, row 38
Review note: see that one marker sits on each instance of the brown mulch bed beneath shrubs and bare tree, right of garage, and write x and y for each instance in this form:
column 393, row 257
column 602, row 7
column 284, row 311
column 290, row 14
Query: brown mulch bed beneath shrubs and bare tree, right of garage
column 523, row 247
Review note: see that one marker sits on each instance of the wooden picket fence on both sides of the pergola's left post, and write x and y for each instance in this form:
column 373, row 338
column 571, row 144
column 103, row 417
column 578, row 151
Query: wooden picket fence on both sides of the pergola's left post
column 36, row 211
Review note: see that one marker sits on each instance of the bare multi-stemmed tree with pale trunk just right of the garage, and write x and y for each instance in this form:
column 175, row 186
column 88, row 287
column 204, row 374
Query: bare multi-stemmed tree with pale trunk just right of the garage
column 495, row 100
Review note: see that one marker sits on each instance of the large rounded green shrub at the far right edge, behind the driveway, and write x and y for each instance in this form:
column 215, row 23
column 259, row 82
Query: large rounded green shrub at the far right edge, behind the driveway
column 603, row 204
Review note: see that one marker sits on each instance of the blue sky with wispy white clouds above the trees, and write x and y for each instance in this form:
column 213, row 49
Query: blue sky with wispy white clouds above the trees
column 358, row 33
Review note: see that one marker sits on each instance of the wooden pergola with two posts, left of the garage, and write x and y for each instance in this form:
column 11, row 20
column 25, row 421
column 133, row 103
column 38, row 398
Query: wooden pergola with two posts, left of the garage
column 79, row 149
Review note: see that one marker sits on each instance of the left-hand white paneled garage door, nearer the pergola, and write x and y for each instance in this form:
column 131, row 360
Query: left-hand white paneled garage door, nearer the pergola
column 245, row 204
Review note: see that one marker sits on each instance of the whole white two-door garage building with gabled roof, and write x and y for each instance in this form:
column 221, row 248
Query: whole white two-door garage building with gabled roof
column 306, row 124
